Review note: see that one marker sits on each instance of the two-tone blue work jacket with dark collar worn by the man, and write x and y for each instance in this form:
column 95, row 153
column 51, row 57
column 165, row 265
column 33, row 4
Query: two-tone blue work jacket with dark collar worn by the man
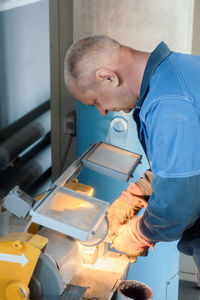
column 168, row 119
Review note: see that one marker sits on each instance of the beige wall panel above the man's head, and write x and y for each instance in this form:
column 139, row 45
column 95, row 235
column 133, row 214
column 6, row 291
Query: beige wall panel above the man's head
column 140, row 24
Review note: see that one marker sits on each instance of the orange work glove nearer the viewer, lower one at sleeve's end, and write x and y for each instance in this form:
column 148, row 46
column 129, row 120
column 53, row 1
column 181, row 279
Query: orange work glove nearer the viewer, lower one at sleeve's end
column 130, row 241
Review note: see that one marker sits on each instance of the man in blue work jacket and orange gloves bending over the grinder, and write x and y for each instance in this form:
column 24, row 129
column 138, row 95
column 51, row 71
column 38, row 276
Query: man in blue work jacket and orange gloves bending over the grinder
column 163, row 88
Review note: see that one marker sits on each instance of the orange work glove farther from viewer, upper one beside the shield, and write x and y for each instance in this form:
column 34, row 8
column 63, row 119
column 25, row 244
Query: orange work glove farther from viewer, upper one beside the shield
column 124, row 208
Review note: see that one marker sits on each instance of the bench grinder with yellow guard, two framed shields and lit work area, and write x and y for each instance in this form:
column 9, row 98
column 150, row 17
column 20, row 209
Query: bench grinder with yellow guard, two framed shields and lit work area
column 67, row 258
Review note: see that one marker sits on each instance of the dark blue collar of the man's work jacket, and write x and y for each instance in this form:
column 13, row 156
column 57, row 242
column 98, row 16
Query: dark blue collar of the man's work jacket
column 155, row 59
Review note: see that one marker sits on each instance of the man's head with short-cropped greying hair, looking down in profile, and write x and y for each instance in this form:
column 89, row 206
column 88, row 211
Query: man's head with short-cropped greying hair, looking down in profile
column 97, row 72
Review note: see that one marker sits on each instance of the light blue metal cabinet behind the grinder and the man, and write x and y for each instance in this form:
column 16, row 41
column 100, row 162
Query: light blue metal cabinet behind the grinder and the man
column 160, row 268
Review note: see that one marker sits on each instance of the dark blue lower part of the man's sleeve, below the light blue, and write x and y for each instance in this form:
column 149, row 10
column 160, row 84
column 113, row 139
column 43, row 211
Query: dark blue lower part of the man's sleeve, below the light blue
column 173, row 207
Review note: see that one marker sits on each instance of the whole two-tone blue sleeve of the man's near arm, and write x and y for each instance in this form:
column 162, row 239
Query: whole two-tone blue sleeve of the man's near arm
column 173, row 147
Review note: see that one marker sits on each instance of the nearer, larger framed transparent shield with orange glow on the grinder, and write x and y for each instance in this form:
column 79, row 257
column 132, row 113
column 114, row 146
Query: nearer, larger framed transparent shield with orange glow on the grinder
column 70, row 212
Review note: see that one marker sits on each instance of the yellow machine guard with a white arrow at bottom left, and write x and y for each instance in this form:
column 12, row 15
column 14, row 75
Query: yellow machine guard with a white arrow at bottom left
column 19, row 253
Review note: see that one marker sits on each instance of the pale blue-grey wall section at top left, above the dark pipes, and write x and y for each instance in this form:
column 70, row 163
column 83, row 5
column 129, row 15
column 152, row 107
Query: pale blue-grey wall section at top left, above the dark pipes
column 24, row 60
